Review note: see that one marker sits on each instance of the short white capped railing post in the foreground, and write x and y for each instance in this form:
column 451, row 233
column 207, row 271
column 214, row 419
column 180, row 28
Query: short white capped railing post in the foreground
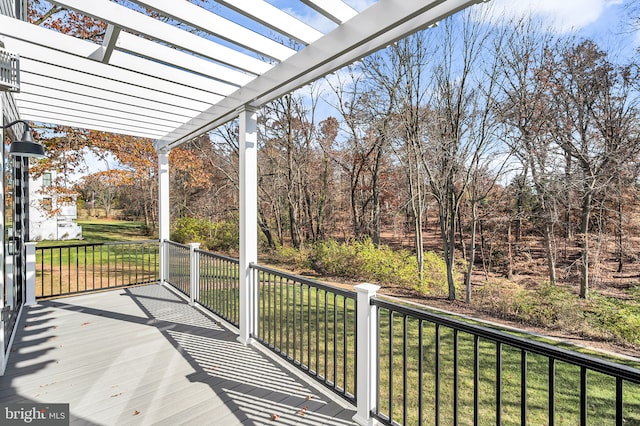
column 366, row 373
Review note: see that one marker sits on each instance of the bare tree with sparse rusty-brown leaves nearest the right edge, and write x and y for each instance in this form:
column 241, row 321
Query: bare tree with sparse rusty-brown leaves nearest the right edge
column 589, row 125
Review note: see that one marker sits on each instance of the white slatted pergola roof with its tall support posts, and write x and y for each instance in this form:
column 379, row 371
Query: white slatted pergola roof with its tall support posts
column 153, row 78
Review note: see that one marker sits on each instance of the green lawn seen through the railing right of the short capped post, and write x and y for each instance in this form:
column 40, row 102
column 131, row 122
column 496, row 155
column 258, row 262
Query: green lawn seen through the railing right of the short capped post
column 400, row 395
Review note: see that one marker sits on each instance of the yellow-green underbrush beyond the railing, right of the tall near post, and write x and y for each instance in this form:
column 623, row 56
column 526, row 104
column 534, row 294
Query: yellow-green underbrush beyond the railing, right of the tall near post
column 554, row 307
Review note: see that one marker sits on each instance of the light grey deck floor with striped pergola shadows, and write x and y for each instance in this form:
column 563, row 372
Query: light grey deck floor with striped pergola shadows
column 143, row 356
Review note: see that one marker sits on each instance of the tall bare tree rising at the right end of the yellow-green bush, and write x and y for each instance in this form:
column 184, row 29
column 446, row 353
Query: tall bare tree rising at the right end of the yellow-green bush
column 458, row 137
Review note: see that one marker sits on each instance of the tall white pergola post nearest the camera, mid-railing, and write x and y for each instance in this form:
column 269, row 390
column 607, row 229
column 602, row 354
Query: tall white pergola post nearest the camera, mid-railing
column 248, row 146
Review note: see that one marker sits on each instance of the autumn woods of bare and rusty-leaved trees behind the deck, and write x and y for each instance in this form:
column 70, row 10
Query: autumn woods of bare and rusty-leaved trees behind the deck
column 504, row 136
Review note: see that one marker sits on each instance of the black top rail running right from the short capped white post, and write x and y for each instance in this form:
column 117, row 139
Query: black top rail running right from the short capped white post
column 576, row 358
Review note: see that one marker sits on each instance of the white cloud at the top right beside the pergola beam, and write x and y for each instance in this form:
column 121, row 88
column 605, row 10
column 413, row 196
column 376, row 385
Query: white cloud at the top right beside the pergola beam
column 561, row 15
